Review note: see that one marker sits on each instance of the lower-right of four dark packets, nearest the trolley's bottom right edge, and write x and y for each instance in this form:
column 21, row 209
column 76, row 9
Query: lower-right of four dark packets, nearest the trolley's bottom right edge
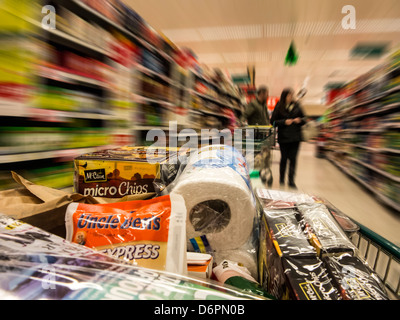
column 354, row 279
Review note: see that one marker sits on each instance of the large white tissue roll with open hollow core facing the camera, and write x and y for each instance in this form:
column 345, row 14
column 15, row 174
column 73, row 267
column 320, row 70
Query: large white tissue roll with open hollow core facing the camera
column 218, row 172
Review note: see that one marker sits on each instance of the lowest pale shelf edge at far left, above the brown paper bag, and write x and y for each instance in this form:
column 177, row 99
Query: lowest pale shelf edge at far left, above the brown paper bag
column 67, row 153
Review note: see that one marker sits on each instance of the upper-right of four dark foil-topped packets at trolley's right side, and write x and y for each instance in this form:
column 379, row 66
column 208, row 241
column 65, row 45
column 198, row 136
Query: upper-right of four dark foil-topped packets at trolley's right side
column 325, row 233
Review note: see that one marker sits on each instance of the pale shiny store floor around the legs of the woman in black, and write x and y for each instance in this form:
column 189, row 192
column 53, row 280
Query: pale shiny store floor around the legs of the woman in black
column 321, row 178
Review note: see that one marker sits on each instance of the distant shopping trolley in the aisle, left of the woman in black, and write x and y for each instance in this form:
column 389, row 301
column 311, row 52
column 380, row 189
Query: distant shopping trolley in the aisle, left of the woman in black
column 260, row 140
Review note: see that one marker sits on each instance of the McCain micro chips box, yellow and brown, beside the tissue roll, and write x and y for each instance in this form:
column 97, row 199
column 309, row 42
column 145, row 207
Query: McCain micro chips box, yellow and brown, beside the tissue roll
column 125, row 171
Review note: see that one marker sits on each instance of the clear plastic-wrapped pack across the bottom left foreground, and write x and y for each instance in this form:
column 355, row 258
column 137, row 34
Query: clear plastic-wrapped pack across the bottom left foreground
column 36, row 265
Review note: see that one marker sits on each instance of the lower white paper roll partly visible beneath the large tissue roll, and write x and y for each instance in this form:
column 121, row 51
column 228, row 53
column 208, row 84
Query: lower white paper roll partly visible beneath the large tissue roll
column 242, row 257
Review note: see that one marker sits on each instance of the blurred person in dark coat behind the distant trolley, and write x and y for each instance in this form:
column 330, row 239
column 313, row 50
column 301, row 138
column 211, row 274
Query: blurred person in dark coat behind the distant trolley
column 256, row 112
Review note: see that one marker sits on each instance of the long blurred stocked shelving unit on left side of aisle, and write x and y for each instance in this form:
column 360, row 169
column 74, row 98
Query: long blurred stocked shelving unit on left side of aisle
column 124, row 81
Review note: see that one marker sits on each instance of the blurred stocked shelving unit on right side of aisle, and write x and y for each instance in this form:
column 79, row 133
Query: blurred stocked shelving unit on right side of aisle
column 365, row 126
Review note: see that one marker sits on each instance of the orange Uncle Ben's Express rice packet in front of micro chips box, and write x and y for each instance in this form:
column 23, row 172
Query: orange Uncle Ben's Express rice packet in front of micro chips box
column 147, row 233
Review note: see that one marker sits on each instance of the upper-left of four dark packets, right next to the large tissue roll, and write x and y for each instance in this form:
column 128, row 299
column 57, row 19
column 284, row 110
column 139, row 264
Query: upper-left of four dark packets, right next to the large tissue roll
column 288, row 237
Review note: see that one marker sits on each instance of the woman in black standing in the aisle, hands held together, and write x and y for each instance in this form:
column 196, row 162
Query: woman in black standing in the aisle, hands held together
column 288, row 117
